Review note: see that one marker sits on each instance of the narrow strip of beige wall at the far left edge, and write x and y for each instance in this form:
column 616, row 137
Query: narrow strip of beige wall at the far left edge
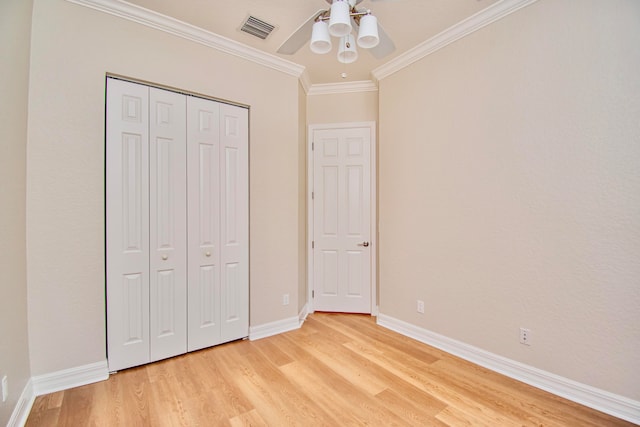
column 15, row 31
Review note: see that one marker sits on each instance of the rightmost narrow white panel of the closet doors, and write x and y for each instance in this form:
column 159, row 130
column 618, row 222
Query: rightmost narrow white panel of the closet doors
column 234, row 219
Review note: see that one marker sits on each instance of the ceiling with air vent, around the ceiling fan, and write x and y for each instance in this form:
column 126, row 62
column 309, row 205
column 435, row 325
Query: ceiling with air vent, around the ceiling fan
column 407, row 22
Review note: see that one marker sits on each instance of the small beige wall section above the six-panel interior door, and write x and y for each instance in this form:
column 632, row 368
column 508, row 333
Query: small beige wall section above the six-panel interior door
column 342, row 107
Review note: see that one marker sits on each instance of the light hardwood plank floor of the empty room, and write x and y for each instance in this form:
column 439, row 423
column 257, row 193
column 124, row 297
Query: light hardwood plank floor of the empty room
column 337, row 370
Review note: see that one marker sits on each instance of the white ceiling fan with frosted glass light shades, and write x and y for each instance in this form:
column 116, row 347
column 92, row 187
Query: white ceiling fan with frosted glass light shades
column 306, row 31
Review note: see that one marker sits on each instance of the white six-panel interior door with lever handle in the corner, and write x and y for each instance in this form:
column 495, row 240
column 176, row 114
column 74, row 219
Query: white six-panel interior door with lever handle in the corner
column 342, row 237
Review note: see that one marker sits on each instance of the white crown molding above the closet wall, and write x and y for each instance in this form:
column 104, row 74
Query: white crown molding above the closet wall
column 151, row 19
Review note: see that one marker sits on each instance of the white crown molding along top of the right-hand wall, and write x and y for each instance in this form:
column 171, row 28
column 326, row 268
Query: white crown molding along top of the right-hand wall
column 475, row 22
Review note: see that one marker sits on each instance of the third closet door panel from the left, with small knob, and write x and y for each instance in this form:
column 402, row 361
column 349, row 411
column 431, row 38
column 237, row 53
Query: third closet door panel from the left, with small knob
column 203, row 160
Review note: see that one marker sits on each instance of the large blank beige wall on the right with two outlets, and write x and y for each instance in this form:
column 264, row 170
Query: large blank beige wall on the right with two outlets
column 510, row 190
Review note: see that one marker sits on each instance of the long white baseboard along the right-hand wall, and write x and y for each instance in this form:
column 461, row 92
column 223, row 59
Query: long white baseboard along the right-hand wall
column 601, row 400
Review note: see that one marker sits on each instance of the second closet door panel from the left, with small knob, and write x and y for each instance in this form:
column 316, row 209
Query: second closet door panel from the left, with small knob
column 168, row 224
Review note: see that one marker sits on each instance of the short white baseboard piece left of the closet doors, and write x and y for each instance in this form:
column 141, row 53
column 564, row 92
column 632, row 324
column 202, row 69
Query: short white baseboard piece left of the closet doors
column 69, row 378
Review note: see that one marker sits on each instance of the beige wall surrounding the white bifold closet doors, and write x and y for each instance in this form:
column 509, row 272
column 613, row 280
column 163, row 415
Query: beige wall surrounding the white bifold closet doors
column 73, row 47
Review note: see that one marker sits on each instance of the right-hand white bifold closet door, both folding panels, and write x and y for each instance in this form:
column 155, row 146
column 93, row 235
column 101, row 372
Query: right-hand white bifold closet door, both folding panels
column 218, row 216
